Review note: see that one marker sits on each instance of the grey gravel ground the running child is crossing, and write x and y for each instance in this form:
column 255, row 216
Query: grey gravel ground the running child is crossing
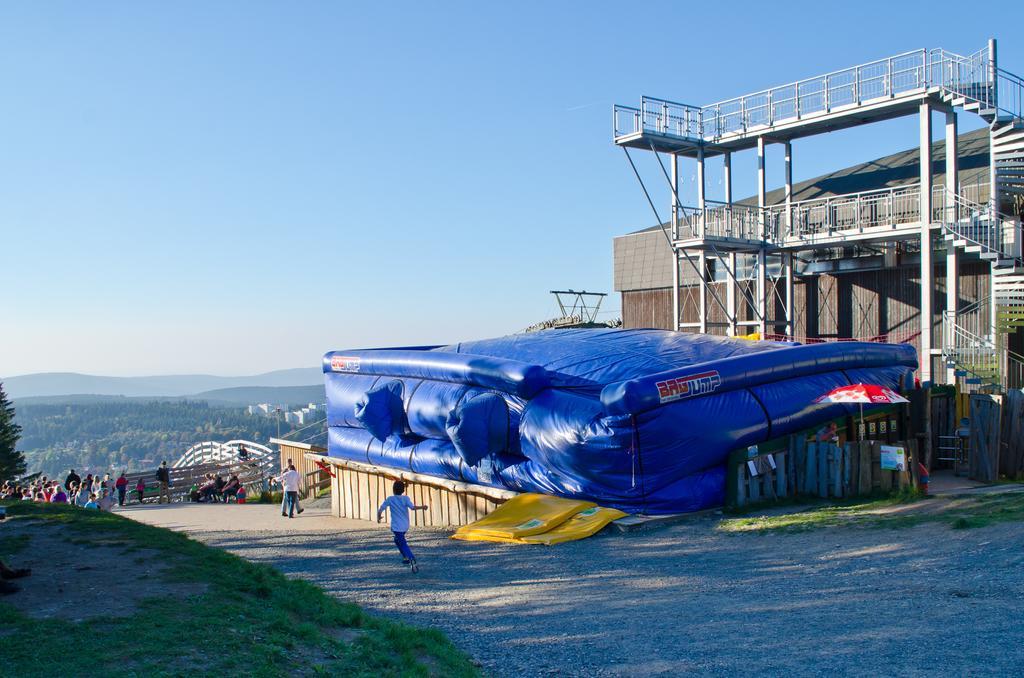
column 685, row 598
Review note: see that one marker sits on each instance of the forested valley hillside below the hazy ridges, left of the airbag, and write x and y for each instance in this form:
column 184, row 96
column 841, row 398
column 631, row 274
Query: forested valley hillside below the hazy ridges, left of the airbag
column 126, row 435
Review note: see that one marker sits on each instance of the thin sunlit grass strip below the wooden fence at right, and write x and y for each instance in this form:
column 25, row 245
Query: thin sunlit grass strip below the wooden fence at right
column 960, row 514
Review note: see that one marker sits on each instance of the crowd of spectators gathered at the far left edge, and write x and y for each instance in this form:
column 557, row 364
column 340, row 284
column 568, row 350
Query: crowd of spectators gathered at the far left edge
column 92, row 492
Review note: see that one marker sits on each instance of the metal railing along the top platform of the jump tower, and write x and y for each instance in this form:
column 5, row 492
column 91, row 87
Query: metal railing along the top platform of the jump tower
column 973, row 77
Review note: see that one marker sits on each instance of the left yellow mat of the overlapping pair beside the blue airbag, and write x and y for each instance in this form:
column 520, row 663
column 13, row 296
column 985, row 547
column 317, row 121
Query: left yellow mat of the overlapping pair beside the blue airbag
column 524, row 516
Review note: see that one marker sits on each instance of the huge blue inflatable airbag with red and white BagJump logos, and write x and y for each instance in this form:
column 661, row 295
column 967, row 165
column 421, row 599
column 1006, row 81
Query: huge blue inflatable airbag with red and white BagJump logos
column 641, row 420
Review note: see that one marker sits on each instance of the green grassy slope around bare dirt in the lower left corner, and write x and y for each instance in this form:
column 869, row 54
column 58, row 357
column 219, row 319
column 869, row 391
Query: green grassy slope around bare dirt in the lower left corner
column 250, row 620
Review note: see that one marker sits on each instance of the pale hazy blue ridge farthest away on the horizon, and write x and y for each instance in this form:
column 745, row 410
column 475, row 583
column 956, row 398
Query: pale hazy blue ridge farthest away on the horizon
column 70, row 384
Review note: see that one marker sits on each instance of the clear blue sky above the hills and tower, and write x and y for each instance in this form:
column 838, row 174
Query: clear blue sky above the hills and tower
column 232, row 188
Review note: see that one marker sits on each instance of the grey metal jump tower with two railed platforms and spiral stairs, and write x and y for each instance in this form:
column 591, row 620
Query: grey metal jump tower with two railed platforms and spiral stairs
column 770, row 238
